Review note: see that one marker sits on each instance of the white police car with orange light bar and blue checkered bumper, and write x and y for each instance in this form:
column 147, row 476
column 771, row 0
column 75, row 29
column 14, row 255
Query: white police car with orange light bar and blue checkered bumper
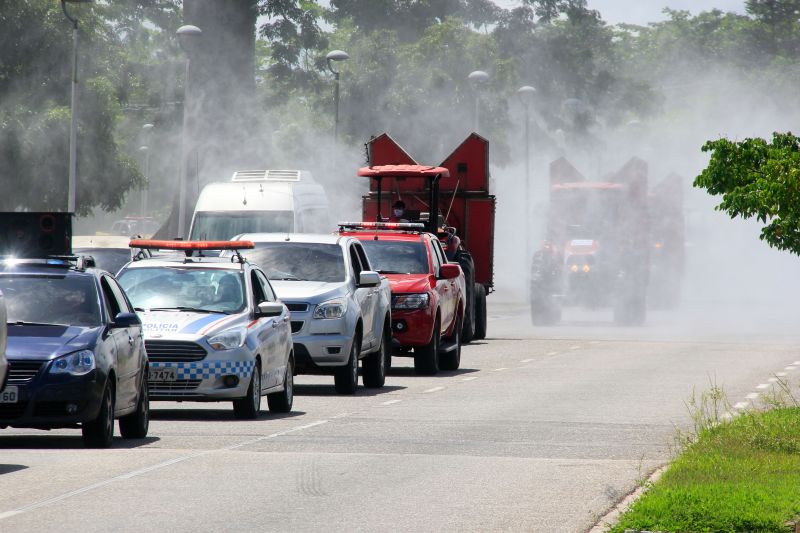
column 214, row 329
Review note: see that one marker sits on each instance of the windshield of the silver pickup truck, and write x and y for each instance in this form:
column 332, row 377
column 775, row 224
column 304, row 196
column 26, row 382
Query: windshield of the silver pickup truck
column 296, row 261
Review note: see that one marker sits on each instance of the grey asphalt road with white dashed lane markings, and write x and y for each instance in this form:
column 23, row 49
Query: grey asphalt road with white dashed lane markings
column 541, row 430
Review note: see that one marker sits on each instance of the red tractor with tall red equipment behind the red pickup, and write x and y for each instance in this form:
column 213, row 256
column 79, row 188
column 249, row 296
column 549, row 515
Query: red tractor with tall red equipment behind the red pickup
column 452, row 201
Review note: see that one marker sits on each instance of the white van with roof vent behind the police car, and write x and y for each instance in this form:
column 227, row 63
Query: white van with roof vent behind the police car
column 261, row 201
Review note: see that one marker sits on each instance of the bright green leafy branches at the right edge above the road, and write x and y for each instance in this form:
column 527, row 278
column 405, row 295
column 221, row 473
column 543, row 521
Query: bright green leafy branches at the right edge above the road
column 758, row 179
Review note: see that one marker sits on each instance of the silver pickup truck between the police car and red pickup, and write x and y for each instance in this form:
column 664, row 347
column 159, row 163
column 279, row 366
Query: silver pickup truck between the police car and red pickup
column 340, row 306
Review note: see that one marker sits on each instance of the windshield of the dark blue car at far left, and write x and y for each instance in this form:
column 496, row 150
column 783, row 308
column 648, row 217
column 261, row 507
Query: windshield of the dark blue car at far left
column 70, row 300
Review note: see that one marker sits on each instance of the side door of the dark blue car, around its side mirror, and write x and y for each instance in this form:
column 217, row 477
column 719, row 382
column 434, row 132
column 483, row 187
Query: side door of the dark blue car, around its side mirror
column 124, row 364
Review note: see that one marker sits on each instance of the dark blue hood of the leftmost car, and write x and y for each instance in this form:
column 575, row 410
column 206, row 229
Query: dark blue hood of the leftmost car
column 48, row 342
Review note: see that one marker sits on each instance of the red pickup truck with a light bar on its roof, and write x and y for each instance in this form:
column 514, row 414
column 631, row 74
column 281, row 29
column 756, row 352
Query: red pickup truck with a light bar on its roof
column 428, row 291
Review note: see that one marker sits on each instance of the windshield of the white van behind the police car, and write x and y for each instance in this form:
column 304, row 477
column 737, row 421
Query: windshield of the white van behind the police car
column 224, row 225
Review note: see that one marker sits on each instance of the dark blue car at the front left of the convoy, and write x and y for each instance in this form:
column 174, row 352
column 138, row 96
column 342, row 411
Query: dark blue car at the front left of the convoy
column 75, row 352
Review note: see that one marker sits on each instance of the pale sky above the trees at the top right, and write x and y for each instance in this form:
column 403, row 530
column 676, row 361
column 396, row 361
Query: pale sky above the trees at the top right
column 644, row 11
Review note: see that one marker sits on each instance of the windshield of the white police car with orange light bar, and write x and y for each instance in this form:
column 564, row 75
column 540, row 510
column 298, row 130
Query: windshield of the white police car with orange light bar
column 211, row 290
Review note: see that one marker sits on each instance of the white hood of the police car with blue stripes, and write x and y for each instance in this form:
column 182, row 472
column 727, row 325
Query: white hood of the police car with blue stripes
column 159, row 324
